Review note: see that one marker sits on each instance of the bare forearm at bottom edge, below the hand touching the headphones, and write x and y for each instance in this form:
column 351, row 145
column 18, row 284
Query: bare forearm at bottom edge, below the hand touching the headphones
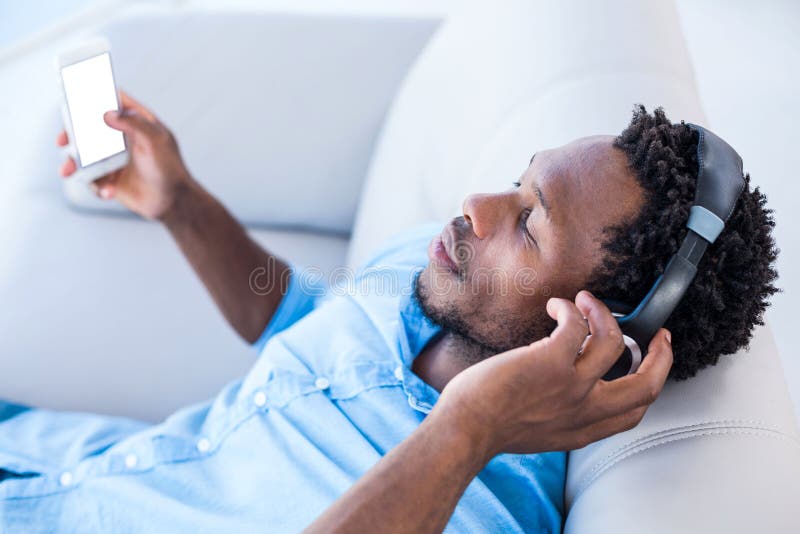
column 415, row 488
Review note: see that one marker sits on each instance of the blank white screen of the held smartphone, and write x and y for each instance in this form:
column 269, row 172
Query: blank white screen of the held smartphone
column 90, row 91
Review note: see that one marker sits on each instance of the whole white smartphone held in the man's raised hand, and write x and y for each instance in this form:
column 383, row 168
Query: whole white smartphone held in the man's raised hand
column 86, row 77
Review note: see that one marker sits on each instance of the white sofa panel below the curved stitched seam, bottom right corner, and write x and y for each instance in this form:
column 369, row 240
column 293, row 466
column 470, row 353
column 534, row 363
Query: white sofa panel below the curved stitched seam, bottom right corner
column 733, row 478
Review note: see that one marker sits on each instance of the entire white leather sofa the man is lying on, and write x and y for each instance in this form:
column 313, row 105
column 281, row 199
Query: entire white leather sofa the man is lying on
column 718, row 453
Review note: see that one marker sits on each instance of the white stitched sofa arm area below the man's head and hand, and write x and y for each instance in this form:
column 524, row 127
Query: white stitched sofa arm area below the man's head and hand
column 717, row 453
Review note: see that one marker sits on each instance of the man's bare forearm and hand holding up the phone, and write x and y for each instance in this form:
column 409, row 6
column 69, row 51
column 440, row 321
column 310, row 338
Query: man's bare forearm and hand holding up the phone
column 157, row 185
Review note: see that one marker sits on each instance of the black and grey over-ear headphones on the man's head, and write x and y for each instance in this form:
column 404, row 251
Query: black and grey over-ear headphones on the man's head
column 720, row 181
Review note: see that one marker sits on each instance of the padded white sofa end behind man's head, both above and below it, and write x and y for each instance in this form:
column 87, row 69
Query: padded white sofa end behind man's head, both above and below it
column 717, row 453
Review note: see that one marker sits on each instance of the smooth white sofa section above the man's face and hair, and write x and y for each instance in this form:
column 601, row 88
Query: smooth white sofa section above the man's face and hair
column 497, row 83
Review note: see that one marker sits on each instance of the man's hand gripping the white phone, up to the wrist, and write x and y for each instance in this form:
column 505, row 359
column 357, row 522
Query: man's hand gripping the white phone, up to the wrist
column 155, row 173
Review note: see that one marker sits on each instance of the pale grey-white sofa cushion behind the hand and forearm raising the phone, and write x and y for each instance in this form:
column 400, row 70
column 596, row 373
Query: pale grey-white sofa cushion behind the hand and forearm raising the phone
column 275, row 114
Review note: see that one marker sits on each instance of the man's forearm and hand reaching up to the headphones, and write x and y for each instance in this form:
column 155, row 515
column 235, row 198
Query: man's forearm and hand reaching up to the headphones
column 538, row 398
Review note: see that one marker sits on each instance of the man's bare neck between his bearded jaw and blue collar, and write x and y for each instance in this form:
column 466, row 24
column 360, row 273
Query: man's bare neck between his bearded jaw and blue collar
column 444, row 357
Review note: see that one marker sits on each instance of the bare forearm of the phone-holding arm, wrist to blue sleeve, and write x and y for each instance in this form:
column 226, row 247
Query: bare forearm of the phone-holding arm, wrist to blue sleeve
column 226, row 258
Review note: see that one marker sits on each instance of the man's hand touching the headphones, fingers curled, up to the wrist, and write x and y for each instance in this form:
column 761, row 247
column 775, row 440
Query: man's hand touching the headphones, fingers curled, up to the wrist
column 549, row 395
